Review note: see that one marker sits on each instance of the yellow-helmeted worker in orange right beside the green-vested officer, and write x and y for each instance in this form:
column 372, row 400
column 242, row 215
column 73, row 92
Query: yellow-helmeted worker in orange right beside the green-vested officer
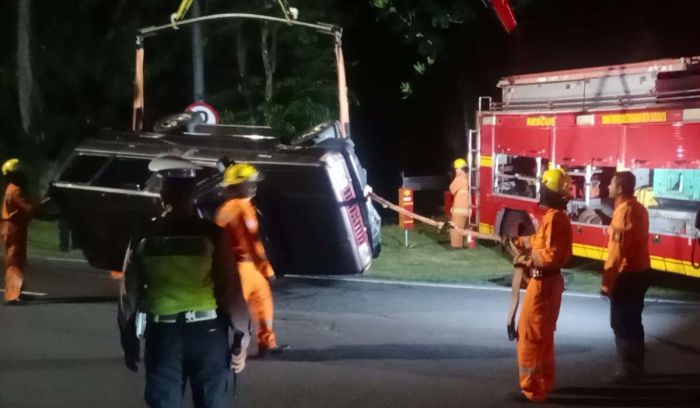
column 238, row 217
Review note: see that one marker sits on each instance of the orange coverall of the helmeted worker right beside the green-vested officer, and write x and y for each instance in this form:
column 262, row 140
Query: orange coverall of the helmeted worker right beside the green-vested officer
column 237, row 216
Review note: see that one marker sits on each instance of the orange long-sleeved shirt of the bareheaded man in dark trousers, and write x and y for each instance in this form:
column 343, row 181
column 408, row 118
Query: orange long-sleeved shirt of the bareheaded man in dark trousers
column 628, row 242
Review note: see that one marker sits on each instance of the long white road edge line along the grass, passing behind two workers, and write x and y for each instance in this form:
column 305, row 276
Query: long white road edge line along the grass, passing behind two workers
column 464, row 286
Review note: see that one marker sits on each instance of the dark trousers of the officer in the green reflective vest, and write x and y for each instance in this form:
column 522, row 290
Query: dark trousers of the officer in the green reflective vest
column 176, row 352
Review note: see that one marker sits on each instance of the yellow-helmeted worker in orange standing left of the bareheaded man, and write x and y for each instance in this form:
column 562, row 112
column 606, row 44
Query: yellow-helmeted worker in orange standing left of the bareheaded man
column 541, row 257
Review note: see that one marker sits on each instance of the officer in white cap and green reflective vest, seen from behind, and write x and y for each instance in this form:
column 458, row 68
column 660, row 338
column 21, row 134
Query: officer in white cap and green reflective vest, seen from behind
column 180, row 273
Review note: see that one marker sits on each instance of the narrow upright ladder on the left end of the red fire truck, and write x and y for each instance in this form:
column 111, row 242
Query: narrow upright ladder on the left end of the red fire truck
column 474, row 164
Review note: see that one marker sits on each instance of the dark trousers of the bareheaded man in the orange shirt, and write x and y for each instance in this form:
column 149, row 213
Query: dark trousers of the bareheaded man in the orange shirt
column 626, row 306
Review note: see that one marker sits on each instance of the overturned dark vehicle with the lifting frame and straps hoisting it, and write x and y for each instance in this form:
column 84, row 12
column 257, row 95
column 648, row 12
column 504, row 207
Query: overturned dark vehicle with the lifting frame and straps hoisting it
column 313, row 207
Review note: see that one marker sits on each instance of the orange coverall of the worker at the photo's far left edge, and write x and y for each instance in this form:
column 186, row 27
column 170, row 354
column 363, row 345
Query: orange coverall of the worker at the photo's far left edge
column 16, row 210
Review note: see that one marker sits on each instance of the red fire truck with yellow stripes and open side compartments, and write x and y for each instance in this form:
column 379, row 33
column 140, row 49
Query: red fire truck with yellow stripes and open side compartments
column 643, row 117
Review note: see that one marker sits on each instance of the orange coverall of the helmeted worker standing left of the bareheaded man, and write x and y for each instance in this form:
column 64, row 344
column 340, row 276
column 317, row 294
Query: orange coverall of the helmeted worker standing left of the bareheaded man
column 551, row 249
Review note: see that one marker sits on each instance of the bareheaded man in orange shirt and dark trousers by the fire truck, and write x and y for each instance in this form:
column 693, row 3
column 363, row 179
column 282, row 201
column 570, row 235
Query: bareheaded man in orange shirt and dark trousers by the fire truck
column 626, row 274
